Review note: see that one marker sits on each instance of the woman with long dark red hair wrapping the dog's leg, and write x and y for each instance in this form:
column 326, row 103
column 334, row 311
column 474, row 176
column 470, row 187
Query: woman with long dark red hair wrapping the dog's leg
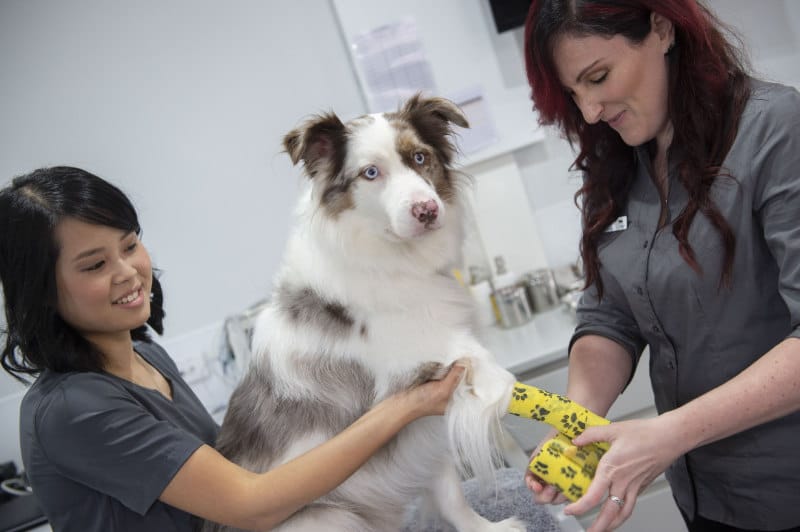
column 691, row 245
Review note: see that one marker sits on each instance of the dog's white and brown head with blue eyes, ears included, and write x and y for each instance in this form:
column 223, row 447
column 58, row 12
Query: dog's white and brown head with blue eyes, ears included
column 390, row 170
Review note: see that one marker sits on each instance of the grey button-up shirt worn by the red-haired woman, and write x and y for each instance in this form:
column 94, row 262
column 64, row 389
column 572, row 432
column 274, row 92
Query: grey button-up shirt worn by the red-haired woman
column 701, row 335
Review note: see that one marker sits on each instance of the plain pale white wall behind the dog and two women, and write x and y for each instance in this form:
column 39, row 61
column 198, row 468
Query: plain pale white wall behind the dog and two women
column 184, row 104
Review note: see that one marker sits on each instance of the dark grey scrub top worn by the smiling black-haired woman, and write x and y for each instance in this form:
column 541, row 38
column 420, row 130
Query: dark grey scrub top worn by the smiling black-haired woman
column 99, row 450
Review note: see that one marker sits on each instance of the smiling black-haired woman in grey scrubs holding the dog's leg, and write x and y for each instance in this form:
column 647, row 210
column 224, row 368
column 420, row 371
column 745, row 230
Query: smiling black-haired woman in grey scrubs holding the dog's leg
column 112, row 437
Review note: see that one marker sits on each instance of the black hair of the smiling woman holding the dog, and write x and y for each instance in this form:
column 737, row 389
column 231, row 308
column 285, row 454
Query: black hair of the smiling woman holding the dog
column 36, row 337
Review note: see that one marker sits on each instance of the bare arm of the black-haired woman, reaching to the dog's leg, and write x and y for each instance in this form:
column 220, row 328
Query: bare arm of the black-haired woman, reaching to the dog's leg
column 210, row 486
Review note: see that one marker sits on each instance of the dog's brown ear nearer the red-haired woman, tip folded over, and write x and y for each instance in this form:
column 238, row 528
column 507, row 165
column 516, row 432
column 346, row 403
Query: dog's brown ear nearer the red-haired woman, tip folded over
column 432, row 118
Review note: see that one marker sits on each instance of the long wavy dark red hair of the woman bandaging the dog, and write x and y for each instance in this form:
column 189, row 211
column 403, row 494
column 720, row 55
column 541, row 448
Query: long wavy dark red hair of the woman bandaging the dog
column 708, row 90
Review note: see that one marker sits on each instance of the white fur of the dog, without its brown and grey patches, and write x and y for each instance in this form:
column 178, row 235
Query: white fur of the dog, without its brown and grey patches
column 391, row 272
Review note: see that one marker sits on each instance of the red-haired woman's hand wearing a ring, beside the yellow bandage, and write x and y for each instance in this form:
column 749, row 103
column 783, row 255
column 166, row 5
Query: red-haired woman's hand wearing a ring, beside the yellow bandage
column 640, row 450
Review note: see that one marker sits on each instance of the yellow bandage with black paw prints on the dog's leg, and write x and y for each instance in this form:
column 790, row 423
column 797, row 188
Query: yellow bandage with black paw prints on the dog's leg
column 559, row 462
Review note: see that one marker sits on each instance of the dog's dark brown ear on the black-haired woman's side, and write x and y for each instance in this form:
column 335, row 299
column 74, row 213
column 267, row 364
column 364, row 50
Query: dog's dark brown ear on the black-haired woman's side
column 319, row 143
